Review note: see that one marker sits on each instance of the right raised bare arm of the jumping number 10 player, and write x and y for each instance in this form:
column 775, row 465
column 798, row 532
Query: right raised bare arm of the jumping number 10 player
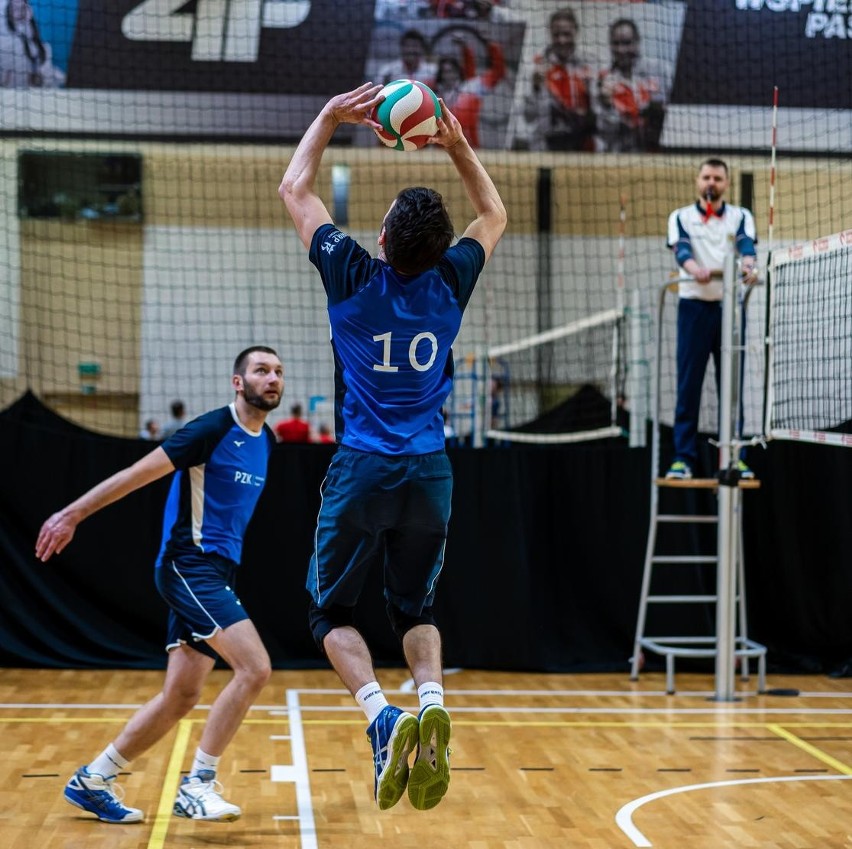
column 490, row 221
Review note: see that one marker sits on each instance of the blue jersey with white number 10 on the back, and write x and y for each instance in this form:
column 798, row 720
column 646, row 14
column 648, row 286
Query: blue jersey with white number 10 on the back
column 392, row 338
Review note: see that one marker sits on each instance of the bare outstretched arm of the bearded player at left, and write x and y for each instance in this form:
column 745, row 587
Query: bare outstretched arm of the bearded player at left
column 58, row 530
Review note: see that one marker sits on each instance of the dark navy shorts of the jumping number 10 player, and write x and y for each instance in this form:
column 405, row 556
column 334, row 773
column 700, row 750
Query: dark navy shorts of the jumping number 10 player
column 387, row 510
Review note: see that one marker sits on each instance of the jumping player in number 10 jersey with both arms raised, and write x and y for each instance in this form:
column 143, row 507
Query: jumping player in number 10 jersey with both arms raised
column 386, row 496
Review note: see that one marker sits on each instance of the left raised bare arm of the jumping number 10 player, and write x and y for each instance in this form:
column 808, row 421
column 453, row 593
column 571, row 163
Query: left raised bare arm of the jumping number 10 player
column 297, row 186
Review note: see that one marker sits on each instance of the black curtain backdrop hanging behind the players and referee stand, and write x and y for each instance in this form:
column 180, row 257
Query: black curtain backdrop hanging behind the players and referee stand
column 543, row 564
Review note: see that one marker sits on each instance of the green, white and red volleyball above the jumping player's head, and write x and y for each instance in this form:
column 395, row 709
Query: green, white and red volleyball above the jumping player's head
column 408, row 115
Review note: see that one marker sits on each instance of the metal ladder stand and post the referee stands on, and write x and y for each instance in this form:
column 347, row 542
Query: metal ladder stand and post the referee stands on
column 729, row 644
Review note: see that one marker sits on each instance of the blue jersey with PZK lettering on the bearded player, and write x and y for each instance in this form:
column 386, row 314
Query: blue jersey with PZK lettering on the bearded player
column 221, row 470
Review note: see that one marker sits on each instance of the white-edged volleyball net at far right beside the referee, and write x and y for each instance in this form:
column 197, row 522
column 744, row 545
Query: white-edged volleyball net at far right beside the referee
column 809, row 374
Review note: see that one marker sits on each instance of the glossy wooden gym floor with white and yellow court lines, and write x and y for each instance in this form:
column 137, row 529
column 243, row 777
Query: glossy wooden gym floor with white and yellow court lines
column 580, row 761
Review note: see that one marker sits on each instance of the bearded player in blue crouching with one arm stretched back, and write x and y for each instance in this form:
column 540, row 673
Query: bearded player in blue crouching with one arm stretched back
column 221, row 459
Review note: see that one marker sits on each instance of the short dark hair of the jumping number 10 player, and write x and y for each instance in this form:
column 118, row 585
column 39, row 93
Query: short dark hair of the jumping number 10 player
column 418, row 230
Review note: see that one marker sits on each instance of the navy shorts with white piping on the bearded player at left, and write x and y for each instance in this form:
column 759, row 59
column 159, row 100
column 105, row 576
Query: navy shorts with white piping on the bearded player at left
column 199, row 590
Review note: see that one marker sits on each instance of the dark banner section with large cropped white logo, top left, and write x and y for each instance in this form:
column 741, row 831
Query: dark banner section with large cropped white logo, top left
column 251, row 46
